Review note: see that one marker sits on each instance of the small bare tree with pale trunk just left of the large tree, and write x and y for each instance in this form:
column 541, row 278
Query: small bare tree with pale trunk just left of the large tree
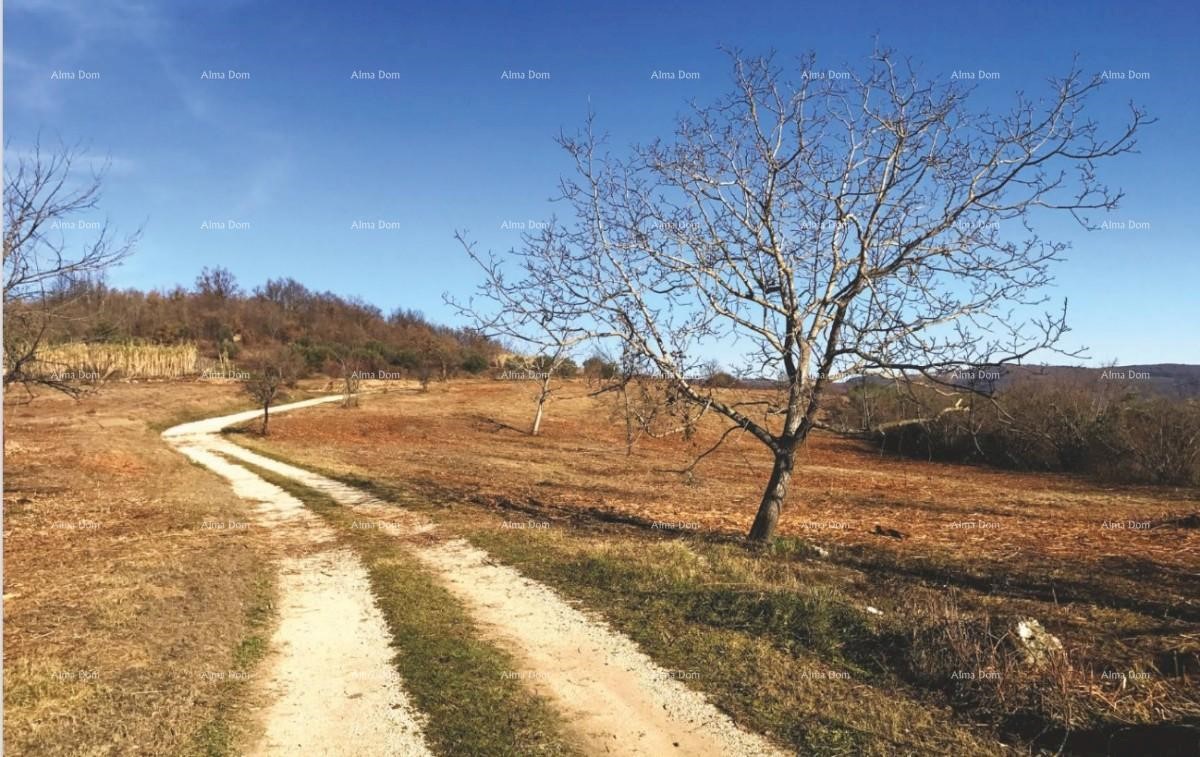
column 526, row 314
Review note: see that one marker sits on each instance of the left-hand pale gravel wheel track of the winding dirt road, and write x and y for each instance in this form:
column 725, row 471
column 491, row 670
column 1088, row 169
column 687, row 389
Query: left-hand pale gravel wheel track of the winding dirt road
column 329, row 684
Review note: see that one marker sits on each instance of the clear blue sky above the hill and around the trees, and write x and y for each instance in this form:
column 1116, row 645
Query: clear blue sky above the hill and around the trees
column 298, row 160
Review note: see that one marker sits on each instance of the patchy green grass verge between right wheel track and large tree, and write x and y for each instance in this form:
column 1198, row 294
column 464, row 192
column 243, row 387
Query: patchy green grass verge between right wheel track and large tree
column 764, row 634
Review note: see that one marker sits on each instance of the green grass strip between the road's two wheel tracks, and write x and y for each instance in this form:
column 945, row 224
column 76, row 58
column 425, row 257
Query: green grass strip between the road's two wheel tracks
column 469, row 688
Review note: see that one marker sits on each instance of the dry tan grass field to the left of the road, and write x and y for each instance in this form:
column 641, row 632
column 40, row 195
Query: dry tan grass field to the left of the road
column 128, row 615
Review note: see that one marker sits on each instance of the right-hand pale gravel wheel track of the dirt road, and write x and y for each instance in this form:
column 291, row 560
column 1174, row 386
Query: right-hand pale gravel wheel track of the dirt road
column 619, row 700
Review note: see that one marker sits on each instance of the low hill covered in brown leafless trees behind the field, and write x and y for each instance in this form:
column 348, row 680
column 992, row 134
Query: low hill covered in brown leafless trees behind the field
column 326, row 331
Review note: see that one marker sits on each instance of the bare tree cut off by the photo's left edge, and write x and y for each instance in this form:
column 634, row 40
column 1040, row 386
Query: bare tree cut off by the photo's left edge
column 44, row 196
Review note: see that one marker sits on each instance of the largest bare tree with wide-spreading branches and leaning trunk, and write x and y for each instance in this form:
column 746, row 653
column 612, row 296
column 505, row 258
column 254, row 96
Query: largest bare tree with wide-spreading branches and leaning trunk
column 833, row 227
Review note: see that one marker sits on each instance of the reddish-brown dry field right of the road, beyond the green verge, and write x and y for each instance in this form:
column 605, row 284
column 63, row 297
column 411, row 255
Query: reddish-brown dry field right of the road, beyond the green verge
column 1001, row 545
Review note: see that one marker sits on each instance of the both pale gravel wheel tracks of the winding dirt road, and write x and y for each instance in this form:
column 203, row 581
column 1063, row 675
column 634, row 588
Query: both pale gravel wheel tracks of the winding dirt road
column 617, row 699
